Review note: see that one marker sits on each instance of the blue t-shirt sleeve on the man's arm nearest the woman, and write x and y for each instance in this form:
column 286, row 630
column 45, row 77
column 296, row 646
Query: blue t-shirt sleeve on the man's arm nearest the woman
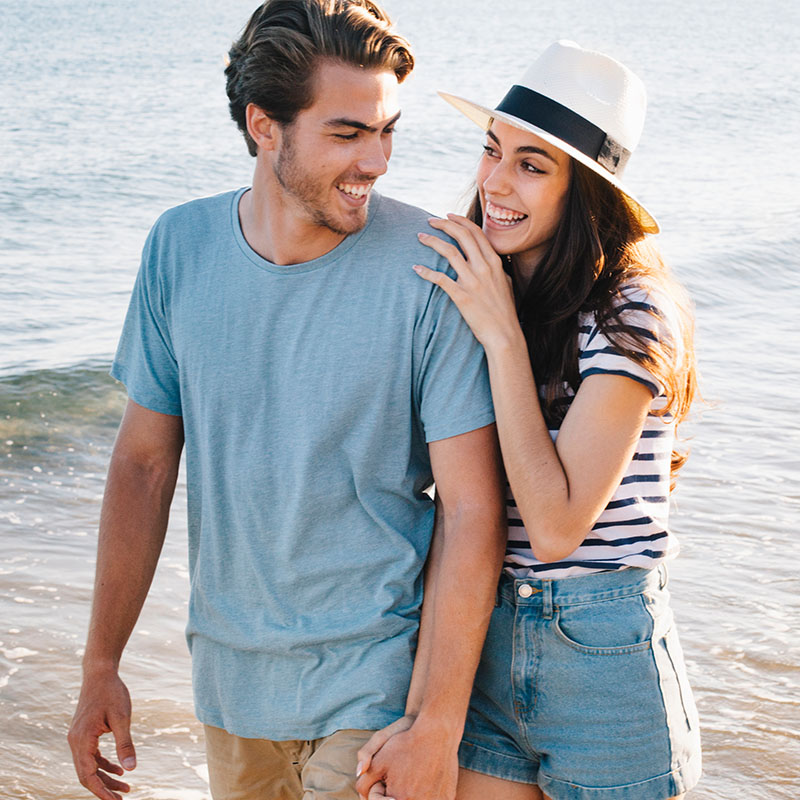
column 453, row 384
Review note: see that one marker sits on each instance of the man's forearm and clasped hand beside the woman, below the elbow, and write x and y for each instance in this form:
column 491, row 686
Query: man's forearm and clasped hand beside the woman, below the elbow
column 417, row 755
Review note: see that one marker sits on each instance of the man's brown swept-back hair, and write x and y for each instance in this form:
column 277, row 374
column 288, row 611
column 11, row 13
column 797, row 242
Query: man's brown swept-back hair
column 273, row 62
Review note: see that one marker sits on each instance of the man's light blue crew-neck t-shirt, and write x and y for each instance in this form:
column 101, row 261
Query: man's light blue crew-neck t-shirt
column 308, row 394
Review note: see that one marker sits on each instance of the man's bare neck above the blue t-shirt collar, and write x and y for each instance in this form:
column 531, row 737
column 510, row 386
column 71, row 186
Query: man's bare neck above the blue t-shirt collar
column 275, row 227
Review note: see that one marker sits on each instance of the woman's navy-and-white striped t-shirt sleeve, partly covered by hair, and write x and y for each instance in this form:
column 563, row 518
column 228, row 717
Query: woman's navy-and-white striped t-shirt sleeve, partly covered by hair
column 598, row 355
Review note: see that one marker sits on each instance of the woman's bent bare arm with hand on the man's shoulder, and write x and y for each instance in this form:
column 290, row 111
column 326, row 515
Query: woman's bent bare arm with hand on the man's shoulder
column 561, row 488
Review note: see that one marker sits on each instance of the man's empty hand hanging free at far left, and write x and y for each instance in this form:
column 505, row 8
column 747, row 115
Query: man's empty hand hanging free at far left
column 104, row 707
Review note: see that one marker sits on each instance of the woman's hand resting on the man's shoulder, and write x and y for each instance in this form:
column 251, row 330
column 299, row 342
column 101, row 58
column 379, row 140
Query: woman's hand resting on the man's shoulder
column 483, row 292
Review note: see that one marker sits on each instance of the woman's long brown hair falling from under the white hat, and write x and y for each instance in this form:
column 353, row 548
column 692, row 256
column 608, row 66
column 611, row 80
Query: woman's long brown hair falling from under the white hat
column 600, row 249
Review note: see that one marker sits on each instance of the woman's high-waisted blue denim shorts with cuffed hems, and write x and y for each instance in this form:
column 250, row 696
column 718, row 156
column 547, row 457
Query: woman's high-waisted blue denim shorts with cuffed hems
column 582, row 690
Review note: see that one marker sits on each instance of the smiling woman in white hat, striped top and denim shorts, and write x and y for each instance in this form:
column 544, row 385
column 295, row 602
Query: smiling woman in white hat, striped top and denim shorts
column 581, row 692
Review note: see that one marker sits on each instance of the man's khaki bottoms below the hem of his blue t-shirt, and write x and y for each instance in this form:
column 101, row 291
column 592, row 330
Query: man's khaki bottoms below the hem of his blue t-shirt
column 260, row 769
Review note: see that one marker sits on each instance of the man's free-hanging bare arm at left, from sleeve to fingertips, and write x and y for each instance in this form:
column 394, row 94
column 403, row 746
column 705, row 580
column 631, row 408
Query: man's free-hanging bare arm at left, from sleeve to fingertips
column 139, row 489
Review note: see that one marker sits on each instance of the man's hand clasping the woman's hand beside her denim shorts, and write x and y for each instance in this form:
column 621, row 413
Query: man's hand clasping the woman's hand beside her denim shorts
column 420, row 763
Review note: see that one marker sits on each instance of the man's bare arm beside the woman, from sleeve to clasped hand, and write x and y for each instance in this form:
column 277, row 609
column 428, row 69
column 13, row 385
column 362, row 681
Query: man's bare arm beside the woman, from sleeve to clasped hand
column 421, row 762
